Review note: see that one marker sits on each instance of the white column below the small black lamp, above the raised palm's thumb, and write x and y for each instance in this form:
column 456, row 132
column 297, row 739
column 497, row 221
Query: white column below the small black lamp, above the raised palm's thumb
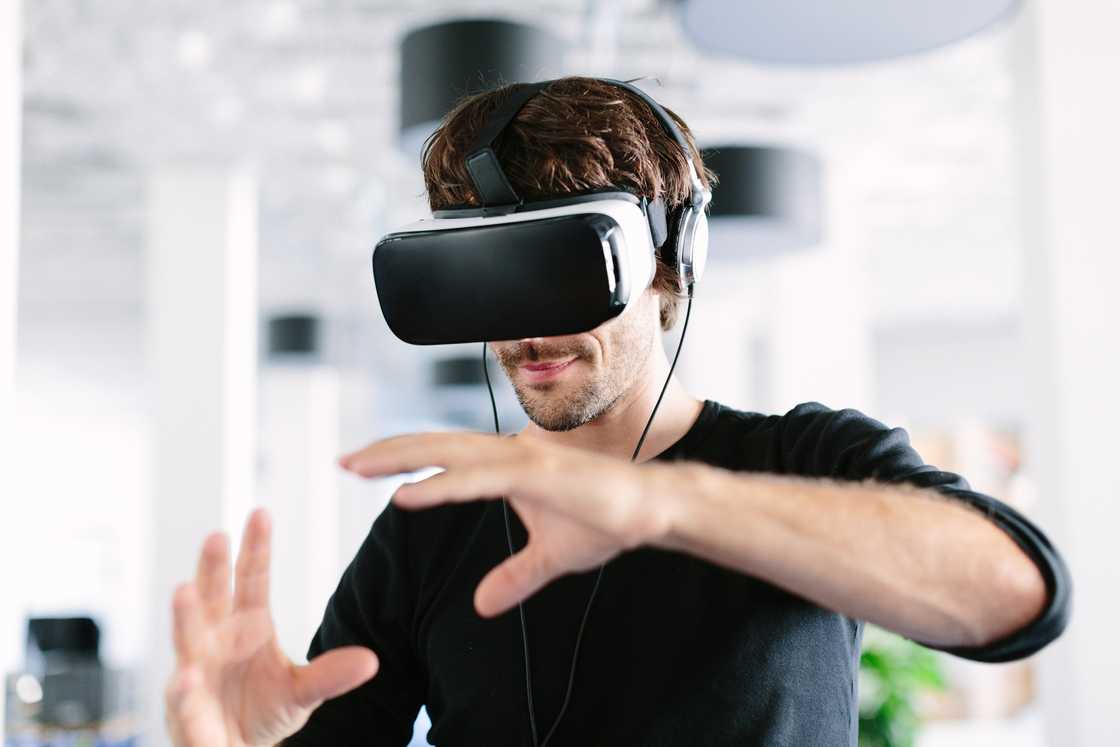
column 300, row 483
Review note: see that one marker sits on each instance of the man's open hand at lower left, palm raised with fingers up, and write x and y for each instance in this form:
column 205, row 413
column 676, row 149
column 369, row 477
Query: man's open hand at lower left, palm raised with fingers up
column 234, row 687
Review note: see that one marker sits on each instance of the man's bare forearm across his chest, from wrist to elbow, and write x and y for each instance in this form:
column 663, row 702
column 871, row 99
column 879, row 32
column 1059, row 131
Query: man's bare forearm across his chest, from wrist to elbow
column 904, row 558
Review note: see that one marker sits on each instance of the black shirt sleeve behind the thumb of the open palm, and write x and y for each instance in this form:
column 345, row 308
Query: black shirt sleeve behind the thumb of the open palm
column 372, row 608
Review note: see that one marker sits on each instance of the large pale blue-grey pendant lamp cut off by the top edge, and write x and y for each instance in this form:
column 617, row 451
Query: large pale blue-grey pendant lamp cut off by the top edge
column 835, row 32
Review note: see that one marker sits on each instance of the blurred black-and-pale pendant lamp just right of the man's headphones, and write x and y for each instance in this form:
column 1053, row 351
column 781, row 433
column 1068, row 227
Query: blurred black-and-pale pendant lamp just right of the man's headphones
column 769, row 202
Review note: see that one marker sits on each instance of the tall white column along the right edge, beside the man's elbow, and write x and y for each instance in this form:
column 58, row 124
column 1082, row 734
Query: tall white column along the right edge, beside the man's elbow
column 1068, row 63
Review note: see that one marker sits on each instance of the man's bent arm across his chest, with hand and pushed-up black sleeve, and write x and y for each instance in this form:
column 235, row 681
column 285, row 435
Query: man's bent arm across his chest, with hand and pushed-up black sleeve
column 944, row 564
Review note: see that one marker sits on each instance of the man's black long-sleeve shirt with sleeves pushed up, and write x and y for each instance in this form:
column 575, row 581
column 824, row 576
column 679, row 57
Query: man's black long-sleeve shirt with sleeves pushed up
column 677, row 651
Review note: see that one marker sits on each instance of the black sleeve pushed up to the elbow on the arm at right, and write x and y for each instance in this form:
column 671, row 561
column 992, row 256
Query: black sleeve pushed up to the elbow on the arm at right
column 850, row 445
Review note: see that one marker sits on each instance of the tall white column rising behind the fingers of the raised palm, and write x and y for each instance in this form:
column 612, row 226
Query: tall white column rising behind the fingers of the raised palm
column 202, row 347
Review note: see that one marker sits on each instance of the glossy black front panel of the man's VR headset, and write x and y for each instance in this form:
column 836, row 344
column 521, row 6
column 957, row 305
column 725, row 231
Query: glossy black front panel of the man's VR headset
column 534, row 279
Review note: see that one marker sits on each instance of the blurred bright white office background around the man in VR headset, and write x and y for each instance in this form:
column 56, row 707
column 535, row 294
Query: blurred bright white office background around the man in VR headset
column 920, row 227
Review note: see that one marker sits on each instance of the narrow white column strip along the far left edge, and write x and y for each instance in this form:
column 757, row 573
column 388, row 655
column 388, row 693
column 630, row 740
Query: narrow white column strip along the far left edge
column 11, row 109
